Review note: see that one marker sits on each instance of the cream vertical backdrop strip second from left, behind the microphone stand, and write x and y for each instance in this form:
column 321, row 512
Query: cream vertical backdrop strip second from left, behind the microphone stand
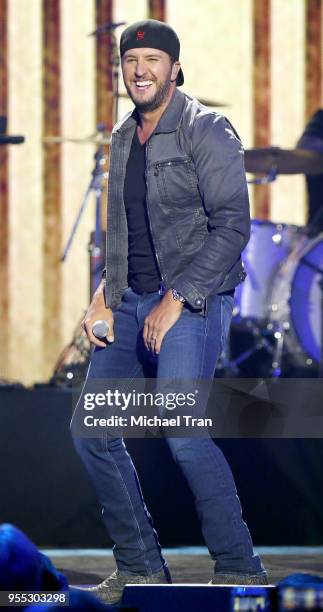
column 78, row 120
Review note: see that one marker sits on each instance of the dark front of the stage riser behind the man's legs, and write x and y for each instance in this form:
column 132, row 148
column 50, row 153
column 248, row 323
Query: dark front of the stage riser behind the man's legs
column 45, row 491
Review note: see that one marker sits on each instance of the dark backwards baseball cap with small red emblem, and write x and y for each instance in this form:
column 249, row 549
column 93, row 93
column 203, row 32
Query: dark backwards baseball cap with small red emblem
column 152, row 34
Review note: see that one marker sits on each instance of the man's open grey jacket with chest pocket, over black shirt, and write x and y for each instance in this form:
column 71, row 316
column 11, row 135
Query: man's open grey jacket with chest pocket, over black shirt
column 197, row 202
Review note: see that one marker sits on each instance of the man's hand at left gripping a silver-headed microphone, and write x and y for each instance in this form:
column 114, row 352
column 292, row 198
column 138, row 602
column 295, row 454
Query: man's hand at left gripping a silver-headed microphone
column 98, row 320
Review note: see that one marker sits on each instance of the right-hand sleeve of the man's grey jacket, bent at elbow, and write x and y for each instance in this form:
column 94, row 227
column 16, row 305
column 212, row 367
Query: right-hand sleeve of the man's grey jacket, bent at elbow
column 219, row 162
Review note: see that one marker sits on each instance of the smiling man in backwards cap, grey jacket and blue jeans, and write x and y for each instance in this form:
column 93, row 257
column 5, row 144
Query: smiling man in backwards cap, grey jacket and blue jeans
column 178, row 219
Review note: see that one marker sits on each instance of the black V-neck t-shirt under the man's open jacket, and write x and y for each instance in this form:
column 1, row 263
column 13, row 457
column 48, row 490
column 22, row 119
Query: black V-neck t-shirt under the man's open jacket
column 143, row 273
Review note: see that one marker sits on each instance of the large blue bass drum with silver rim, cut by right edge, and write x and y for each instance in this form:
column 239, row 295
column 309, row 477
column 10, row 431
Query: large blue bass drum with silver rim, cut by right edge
column 296, row 300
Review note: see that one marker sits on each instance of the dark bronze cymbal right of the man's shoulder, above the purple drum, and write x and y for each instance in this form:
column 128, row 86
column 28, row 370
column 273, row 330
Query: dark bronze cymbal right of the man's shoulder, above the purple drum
column 283, row 161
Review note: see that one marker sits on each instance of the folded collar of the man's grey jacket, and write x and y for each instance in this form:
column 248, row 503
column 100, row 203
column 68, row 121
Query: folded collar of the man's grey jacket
column 169, row 120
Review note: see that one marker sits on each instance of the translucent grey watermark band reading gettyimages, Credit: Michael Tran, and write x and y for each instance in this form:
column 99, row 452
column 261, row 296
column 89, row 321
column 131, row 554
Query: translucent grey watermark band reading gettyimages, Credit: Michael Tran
column 221, row 408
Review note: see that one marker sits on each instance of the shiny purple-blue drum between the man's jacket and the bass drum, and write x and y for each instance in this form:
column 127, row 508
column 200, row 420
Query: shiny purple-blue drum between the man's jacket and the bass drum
column 269, row 244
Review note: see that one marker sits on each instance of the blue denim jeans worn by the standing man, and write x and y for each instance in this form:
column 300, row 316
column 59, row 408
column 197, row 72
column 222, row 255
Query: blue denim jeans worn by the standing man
column 190, row 349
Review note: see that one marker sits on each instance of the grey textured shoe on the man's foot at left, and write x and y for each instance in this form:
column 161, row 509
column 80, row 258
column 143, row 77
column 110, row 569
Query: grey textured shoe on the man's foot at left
column 110, row 590
